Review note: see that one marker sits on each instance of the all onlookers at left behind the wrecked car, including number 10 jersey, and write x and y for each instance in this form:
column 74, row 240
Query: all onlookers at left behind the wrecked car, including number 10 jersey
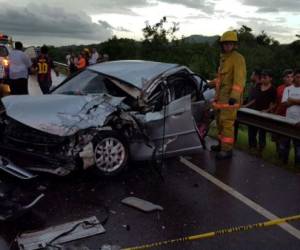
column 41, row 64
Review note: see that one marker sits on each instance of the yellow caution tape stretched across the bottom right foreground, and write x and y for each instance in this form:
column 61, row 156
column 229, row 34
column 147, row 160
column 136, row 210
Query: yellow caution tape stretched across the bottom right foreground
column 216, row 233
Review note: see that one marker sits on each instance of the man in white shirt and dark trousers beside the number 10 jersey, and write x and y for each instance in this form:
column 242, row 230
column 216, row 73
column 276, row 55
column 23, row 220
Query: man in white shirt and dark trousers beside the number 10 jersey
column 18, row 70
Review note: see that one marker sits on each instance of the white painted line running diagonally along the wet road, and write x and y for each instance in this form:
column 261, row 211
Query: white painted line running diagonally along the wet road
column 259, row 209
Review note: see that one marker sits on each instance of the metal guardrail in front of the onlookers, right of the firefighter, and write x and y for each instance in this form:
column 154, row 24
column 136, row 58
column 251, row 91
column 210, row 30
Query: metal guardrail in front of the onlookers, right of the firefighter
column 270, row 122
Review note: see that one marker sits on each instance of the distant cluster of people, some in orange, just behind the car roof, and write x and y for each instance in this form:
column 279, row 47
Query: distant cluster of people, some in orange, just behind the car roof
column 85, row 58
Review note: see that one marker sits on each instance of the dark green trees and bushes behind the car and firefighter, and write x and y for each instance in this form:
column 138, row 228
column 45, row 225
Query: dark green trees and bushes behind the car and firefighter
column 201, row 55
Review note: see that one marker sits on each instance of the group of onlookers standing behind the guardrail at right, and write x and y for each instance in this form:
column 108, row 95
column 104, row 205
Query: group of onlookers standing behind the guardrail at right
column 284, row 100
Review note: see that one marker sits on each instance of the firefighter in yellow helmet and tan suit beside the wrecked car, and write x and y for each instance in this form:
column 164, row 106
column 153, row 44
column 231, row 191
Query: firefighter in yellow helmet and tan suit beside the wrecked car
column 229, row 89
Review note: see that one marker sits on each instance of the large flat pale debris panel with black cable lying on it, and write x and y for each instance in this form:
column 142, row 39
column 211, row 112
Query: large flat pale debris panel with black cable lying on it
column 60, row 234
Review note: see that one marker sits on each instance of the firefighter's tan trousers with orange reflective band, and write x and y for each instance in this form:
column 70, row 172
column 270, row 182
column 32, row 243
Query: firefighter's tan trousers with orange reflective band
column 225, row 119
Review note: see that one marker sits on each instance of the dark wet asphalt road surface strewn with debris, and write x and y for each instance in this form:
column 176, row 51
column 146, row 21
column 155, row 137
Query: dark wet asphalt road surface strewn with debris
column 192, row 204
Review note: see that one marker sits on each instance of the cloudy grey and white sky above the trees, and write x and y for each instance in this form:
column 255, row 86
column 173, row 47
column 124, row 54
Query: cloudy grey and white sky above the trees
column 58, row 22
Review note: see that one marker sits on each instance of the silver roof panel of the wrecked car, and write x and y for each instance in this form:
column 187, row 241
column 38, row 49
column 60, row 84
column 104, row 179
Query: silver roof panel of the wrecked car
column 136, row 72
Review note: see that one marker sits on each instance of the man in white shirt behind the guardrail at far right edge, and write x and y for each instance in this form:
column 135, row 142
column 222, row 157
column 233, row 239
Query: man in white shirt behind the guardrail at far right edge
column 291, row 99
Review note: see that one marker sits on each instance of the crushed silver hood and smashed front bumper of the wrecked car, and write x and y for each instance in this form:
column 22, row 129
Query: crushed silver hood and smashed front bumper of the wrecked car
column 57, row 141
